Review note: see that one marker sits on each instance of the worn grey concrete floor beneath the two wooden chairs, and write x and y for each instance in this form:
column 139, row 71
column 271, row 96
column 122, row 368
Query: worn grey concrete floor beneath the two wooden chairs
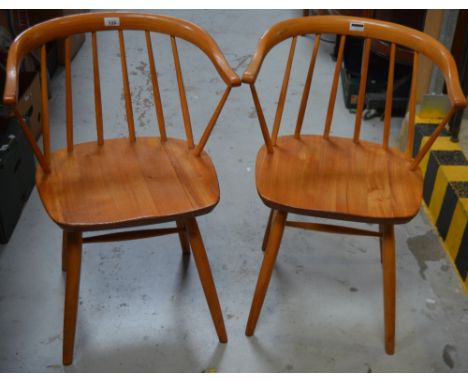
column 142, row 307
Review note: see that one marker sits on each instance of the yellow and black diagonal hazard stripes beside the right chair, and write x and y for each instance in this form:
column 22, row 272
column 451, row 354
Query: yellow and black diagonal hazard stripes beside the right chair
column 445, row 193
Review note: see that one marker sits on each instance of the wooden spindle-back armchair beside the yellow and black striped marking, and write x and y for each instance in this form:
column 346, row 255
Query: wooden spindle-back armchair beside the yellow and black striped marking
column 342, row 178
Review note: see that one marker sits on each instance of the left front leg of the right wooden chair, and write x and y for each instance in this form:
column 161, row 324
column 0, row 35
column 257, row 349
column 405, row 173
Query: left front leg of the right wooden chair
column 274, row 241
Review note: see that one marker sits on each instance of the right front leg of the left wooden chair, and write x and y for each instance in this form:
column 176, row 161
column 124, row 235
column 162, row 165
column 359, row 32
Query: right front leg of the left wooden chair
column 206, row 278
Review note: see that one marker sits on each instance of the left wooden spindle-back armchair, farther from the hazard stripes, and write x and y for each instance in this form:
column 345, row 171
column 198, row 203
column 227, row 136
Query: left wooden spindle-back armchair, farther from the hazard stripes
column 120, row 183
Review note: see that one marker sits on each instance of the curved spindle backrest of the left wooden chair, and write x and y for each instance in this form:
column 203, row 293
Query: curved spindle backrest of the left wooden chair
column 65, row 27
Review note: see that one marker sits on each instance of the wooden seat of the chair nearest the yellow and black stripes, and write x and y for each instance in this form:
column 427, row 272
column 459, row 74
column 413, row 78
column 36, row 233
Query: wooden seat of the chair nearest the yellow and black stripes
column 337, row 178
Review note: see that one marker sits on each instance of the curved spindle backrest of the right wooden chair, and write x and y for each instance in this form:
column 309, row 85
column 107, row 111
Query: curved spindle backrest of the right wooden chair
column 395, row 35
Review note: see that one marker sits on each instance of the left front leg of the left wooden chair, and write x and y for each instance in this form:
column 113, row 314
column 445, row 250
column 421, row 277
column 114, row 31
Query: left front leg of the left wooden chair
column 73, row 244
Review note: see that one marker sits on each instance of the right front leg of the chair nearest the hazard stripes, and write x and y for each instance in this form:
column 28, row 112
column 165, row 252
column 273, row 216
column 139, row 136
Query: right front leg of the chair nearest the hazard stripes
column 389, row 281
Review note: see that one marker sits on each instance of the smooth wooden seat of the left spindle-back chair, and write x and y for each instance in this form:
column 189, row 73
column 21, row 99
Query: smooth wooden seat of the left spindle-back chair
column 124, row 184
